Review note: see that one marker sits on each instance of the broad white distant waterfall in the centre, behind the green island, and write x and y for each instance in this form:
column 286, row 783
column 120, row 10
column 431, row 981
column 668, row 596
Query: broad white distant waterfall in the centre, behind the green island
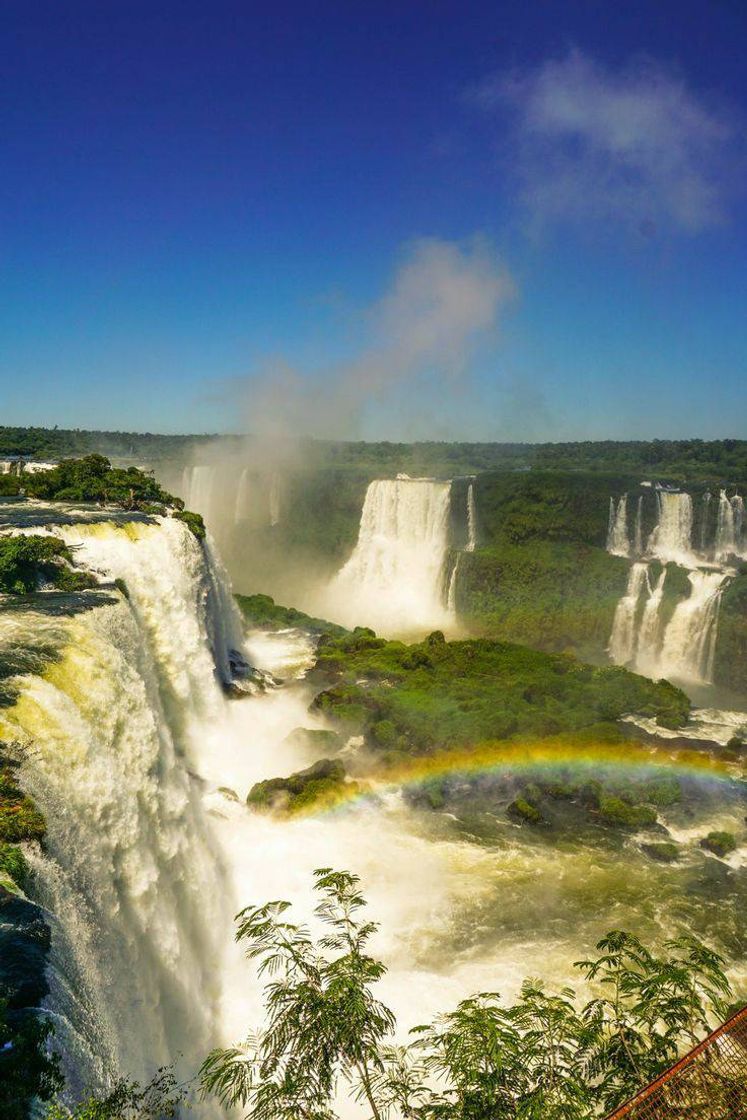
column 395, row 577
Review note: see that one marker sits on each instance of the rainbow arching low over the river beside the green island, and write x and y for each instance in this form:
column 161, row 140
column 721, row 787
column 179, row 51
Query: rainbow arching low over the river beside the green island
column 628, row 760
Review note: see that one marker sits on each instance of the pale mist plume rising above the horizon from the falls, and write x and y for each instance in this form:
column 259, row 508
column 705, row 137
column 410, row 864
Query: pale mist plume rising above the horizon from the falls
column 418, row 343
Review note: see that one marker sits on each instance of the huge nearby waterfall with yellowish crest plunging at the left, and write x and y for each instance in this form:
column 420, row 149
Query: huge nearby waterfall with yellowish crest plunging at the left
column 132, row 879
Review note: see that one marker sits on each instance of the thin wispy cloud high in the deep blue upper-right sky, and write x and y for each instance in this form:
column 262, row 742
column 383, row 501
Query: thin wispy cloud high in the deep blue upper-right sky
column 633, row 145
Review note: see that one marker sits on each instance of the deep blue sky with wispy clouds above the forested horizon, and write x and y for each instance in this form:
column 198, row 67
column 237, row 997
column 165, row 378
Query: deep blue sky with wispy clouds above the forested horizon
column 470, row 220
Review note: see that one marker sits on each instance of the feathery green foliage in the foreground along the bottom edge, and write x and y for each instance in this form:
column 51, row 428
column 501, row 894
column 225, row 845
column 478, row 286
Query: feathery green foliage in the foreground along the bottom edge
column 548, row 1057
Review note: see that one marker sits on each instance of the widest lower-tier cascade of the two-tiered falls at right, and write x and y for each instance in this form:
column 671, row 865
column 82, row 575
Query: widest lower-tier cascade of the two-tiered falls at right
column 689, row 642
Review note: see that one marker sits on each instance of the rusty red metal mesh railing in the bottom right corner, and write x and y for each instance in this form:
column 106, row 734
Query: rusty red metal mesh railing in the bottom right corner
column 709, row 1084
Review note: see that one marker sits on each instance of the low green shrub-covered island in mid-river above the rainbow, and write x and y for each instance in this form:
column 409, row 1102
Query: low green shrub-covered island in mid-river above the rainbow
column 441, row 695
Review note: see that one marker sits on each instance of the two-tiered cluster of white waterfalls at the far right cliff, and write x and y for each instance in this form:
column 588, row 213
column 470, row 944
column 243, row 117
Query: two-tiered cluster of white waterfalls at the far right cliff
column 651, row 633
